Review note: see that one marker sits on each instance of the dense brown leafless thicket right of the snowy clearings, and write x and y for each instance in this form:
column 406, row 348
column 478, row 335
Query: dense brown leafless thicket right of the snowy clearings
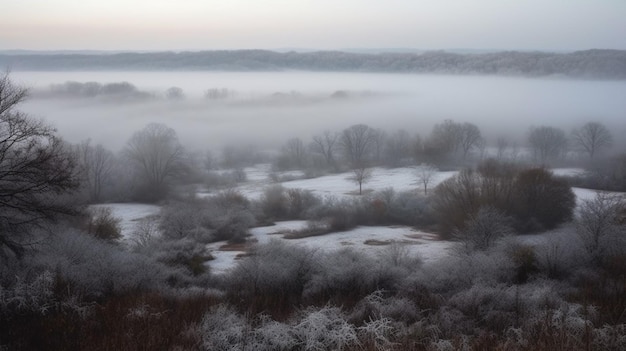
column 534, row 199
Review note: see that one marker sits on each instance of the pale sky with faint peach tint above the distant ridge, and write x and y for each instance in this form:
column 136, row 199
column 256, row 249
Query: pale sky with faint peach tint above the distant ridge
column 313, row 24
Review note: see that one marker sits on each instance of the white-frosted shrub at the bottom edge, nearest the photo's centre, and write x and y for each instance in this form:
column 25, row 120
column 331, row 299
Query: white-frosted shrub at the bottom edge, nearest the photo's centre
column 325, row 329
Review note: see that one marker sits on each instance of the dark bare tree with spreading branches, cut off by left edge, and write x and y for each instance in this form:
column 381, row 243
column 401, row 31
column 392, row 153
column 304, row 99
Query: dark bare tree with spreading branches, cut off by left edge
column 36, row 167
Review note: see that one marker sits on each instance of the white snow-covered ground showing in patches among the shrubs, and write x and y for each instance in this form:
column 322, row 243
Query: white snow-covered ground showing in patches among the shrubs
column 372, row 240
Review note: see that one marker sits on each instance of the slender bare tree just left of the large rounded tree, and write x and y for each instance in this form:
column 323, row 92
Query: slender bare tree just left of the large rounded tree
column 96, row 164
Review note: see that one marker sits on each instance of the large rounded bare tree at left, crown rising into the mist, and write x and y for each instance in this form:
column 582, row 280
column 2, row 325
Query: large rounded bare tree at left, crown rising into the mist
column 158, row 157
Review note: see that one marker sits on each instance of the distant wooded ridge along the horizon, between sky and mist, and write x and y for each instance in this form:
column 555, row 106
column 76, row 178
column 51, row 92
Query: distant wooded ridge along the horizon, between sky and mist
column 592, row 64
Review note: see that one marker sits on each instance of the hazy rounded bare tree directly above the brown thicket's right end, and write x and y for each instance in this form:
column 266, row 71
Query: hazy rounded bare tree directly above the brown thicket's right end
column 547, row 143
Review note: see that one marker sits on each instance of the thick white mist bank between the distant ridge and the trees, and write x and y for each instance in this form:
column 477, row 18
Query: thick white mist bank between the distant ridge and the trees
column 267, row 108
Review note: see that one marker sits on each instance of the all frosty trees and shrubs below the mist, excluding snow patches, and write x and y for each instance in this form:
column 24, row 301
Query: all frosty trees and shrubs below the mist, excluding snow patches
column 67, row 282
